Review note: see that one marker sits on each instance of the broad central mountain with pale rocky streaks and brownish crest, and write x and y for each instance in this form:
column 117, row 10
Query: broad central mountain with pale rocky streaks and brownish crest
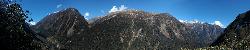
column 135, row 30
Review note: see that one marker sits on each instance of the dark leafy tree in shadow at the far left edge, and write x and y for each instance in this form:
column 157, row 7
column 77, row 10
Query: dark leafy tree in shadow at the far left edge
column 15, row 33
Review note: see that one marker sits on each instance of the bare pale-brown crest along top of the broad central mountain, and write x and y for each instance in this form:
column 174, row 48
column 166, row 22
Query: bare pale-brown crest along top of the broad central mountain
column 134, row 14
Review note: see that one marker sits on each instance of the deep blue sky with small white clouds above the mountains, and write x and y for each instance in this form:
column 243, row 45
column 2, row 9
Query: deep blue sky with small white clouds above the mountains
column 210, row 11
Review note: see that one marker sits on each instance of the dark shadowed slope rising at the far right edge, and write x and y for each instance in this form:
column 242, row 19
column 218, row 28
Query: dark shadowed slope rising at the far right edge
column 236, row 35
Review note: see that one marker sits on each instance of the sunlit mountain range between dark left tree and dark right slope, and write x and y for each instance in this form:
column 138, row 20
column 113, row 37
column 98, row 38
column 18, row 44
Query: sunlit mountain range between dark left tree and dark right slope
column 130, row 29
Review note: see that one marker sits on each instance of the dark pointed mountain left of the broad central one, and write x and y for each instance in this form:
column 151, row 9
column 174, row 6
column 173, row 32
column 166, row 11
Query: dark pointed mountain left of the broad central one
column 63, row 29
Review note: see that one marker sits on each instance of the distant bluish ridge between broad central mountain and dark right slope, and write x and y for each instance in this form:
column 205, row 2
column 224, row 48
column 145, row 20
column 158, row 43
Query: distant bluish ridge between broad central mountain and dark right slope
column 203, row 33
